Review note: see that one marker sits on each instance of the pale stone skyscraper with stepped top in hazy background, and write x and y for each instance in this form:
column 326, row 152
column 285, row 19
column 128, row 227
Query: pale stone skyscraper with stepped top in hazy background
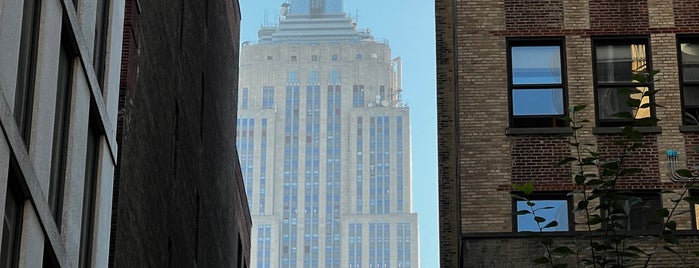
column 324, row 143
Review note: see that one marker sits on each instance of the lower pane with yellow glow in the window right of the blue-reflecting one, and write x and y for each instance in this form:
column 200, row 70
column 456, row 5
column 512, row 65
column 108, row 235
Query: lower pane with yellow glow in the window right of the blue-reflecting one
column 611, row 102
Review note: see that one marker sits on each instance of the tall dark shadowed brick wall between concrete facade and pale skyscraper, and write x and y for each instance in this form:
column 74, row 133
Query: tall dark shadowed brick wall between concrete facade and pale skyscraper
column 181, row 201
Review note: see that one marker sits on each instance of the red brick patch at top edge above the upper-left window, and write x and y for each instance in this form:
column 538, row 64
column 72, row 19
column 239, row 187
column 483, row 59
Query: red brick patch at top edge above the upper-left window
column 537, row 14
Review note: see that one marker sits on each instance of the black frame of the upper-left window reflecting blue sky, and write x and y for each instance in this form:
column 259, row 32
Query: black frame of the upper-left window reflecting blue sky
column 536, row 121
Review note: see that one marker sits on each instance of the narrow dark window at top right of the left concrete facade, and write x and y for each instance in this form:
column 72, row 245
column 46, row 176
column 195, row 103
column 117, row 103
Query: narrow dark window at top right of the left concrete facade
column 100, row 46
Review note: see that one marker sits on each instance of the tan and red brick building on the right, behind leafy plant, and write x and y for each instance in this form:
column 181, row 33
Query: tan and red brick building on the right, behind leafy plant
column 508, row 69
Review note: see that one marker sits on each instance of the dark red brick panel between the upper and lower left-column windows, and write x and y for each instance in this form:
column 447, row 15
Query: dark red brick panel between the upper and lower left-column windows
column 536, row 158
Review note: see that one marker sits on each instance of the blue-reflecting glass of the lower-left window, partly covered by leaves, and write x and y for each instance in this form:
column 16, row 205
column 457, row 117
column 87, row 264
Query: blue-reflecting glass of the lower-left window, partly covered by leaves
column 558, row 212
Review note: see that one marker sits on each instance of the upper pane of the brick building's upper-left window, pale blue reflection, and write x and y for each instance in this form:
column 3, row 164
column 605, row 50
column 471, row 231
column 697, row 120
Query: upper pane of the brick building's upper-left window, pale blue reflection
column 536, row 65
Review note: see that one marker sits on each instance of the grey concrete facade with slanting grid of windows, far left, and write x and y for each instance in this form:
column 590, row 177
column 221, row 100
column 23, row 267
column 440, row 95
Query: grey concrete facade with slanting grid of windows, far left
column 59, row 92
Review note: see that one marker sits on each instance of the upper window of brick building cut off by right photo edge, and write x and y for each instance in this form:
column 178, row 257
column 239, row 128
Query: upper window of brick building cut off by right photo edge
column 688, row 51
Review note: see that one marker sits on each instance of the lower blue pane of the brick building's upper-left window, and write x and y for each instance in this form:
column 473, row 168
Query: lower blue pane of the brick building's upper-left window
column 537, row 101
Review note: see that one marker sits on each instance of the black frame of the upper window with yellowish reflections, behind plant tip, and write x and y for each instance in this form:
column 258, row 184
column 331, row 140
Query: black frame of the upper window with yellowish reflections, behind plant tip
column 616, row 40
